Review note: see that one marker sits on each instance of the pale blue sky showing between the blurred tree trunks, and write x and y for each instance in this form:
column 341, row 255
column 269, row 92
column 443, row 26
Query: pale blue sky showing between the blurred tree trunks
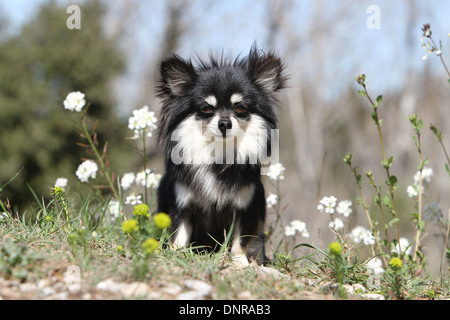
column 385, row 52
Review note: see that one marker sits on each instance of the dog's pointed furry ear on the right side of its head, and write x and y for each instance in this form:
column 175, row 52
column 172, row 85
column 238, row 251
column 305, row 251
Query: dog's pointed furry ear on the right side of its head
column 266, row 70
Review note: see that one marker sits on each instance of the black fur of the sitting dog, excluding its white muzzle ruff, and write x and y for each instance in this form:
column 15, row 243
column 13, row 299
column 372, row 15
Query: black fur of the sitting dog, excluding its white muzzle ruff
column 183, row 88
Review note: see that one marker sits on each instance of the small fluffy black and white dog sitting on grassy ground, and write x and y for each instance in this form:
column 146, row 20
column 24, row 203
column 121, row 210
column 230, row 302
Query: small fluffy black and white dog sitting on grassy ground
column 216, row 128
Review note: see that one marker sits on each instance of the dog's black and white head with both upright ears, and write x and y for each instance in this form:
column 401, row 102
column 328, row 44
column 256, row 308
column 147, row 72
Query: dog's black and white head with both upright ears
column 220, row 99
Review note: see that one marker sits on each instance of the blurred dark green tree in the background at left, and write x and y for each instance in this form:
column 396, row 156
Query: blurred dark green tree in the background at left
column 38, row 68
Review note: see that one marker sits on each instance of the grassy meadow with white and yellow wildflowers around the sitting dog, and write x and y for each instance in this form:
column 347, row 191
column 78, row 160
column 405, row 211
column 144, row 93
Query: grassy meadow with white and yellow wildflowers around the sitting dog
column 108, row 242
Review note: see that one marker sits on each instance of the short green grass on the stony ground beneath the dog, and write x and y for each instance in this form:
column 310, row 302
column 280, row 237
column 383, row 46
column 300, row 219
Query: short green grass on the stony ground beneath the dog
column 36, row 250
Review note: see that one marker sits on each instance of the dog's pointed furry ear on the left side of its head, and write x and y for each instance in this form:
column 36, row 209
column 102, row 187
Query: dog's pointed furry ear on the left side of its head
column 176, row 75
